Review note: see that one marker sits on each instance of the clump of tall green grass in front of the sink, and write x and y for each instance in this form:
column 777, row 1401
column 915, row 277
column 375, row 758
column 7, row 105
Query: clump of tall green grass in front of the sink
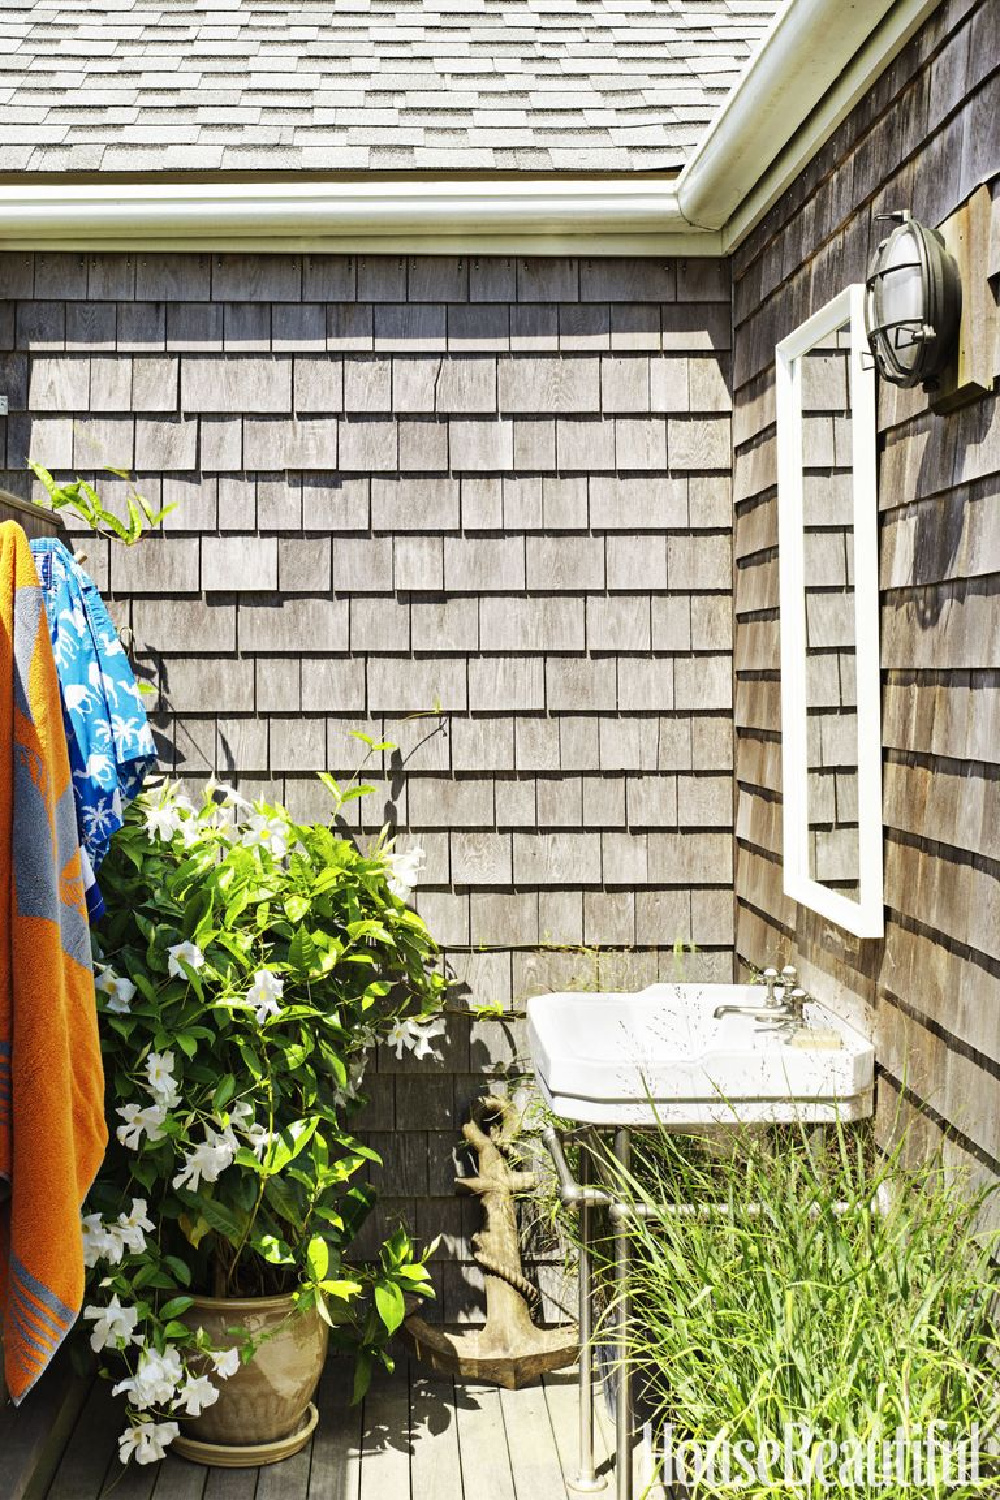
column 857, row 1298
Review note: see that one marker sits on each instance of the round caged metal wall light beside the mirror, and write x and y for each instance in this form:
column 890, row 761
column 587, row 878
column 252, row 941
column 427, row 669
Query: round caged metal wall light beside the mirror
column 914, row 352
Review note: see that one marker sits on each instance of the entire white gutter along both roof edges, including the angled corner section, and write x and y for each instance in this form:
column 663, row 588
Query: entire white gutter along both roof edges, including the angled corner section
column 815, row 64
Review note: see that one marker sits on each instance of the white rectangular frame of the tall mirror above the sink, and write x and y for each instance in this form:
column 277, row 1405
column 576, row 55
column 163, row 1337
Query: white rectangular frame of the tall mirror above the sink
column 864, row 917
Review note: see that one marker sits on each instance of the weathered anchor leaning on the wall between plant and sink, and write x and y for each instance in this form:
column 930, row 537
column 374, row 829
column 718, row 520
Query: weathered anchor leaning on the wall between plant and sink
column 510, row 1349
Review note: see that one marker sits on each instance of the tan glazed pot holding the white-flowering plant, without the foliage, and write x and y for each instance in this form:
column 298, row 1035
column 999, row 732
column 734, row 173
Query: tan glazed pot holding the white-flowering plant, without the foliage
column 266, row 1402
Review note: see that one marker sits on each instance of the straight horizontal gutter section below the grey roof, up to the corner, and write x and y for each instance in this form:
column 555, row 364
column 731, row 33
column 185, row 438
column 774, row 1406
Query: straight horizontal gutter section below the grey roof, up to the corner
column 587, row 217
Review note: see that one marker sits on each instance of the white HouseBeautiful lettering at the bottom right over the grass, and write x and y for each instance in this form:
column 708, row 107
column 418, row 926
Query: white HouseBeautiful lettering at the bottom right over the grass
column 804, row 1460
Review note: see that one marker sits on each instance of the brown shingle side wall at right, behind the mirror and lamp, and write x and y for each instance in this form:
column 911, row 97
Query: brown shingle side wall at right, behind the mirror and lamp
column 924, row 139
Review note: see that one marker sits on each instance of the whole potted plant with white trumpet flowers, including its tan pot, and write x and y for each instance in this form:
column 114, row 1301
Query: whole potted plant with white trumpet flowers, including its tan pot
column 247, row 968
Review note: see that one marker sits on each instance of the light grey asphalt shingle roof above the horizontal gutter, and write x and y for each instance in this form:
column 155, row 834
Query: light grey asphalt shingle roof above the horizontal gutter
column 466, row 86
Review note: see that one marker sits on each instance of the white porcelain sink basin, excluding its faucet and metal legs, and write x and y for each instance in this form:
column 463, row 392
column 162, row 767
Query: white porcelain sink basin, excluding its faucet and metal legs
column 660, row 1057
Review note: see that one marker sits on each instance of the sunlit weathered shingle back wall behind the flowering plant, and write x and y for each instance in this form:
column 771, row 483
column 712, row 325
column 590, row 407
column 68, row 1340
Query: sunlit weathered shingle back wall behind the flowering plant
column 496, row 494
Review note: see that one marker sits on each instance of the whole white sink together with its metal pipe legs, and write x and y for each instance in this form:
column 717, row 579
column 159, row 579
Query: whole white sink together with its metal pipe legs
column 663, row 1058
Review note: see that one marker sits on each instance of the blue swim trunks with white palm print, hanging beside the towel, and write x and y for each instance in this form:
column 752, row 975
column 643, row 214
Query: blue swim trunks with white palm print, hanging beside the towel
column 110, row 743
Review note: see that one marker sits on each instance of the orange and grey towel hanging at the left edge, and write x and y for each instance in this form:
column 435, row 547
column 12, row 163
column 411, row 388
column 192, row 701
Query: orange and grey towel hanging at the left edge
column 53, row 1132
